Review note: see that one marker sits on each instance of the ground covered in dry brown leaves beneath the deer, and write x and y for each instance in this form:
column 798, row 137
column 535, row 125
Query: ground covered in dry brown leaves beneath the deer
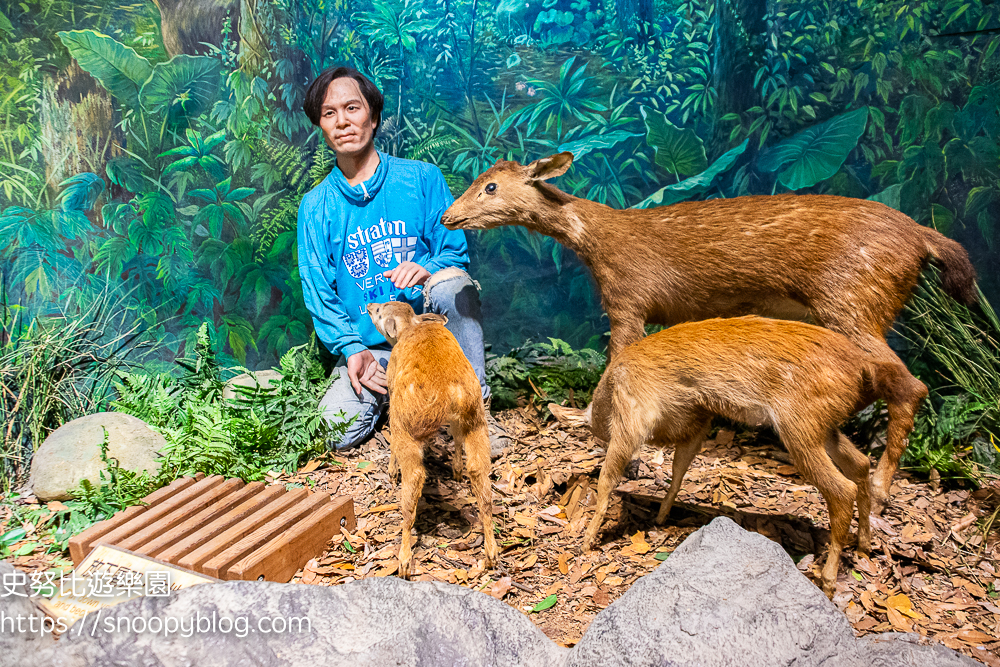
column 934, row 560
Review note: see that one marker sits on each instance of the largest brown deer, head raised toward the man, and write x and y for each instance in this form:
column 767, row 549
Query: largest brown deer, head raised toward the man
column 845, row 264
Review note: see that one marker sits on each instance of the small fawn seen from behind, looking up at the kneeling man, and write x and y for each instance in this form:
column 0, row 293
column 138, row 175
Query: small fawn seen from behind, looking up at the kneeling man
column 431, row 383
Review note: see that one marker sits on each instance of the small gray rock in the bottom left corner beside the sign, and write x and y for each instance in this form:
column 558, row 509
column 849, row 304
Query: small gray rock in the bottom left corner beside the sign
column 23, row 631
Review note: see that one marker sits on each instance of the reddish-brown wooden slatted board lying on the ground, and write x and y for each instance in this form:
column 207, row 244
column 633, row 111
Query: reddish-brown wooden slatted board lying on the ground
column 225, row 529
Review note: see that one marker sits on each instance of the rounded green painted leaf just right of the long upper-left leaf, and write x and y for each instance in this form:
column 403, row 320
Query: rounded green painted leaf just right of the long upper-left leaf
column 183, row 87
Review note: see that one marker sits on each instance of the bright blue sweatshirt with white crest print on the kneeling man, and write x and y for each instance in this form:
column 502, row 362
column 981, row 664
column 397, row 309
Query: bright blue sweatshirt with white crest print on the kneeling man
column 349, row 235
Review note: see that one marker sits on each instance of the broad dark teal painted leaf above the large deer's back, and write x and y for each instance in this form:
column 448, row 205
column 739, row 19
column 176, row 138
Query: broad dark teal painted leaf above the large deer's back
column 816, row 153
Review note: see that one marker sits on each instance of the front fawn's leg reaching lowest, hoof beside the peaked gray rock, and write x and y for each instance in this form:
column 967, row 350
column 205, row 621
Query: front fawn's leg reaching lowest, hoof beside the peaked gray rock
column 814, row 463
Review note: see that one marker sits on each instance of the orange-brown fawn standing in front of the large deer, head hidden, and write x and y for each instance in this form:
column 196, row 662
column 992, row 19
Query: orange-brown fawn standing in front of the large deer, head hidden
column 799, row 379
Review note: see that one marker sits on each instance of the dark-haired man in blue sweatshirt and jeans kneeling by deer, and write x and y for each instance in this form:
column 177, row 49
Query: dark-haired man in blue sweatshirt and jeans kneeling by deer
column 371, row 233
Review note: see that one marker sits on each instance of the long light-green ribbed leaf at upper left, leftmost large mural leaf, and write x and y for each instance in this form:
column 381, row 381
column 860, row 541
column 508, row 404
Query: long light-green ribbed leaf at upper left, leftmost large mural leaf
column 119, row 68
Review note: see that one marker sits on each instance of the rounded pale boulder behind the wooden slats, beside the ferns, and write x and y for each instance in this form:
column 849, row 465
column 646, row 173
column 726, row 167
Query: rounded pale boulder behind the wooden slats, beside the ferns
column 72, row 453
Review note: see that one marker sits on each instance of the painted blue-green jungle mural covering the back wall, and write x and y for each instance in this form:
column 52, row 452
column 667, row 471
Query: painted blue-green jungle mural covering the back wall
column 153, row 153
